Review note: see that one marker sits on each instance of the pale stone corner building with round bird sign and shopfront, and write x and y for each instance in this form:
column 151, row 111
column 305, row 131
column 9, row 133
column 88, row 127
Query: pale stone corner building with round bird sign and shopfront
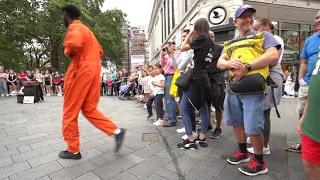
column 293, row 20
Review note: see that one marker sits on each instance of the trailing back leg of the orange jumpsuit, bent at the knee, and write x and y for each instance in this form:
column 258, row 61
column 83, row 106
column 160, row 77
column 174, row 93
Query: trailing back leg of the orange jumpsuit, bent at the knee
column 89, row 110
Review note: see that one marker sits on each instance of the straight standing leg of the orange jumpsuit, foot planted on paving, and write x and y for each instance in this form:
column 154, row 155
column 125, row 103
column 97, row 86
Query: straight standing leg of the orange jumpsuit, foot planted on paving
column 76, row 90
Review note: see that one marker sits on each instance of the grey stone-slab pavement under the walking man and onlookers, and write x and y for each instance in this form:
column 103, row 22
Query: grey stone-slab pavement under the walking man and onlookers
column 30, row 139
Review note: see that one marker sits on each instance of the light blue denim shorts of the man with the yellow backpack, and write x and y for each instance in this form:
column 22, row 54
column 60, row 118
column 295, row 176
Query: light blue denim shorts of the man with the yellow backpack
column 245, row 110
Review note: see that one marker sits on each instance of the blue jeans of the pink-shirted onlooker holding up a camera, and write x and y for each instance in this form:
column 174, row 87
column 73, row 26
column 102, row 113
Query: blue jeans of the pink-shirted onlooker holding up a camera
column 171, row 103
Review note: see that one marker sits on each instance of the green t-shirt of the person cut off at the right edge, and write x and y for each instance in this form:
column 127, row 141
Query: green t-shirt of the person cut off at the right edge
column 311, row 122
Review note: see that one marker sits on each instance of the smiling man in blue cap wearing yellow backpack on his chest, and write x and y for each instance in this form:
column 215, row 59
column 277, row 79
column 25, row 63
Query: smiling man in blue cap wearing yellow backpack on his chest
column 248, row 58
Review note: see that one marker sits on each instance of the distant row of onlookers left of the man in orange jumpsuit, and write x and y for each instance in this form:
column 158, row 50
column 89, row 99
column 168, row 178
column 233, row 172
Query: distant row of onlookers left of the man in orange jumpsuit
column 12, row 82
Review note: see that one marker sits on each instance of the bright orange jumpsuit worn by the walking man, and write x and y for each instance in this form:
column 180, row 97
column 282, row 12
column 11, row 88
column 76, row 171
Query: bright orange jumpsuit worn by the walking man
column 82, row 84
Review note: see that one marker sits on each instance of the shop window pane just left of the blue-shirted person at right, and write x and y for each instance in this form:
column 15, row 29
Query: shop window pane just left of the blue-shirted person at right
column 291, row 41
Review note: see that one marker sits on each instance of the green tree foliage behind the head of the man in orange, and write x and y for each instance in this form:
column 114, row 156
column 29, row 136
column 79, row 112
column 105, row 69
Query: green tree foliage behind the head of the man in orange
column 32, row 32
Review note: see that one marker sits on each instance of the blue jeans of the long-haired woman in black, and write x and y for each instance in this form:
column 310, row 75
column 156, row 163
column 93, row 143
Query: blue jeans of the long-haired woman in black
column 187, row 112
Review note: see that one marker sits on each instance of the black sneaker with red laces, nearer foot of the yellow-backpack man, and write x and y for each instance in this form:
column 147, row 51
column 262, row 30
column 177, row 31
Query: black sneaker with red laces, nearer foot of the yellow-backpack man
column 254, row 168
